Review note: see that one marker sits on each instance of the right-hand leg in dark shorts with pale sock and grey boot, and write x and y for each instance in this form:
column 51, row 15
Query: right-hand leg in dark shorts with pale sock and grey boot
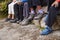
column 39, row 9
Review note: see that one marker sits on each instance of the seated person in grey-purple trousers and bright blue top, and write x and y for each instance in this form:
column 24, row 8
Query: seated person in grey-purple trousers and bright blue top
column 25, row 9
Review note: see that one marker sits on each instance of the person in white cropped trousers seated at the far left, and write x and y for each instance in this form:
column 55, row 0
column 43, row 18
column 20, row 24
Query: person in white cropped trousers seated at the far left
column 11, row 10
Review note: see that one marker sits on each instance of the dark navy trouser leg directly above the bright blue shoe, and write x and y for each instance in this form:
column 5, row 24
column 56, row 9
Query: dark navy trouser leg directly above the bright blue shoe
column 51, row 16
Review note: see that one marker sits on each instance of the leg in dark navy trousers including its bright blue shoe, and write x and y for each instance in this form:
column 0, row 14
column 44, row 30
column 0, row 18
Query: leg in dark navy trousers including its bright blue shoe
column 50, row 19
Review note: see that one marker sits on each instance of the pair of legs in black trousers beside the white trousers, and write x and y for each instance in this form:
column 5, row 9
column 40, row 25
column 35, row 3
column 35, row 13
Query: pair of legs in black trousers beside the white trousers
column 18, row 9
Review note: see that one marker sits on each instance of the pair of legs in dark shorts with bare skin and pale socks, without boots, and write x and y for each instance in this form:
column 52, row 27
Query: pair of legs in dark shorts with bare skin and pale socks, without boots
column 36, row 3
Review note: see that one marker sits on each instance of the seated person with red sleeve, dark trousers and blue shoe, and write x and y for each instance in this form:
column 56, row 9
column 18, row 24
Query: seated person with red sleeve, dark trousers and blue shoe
column 54, row 6
